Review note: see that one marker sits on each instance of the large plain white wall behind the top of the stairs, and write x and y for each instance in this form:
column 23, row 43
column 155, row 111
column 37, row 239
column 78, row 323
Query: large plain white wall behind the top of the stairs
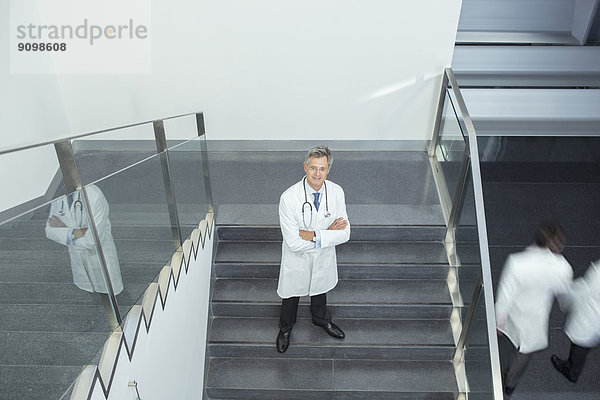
column 260, row 69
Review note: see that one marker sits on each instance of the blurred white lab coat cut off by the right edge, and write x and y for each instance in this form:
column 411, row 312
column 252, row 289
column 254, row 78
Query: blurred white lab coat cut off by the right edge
column 583, row 321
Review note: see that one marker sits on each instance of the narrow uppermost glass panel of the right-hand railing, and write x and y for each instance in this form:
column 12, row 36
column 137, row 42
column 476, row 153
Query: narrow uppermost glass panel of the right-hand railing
column 451, row 146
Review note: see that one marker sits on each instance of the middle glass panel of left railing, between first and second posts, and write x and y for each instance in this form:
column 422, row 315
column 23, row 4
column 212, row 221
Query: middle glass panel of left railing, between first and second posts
column 134, row 206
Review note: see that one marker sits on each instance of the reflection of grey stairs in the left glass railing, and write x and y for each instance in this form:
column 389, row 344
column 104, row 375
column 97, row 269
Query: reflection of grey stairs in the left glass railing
column 49, row 328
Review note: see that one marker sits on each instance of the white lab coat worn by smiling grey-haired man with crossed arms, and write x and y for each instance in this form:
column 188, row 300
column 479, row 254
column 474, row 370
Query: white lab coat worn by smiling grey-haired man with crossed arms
column 305, row 269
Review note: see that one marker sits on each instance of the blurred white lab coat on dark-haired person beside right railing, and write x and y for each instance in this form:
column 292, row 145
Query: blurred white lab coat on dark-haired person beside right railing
column 529, row 283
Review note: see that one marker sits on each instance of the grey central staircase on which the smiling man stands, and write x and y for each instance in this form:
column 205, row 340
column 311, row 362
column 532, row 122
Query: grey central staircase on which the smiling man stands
column 392, row 301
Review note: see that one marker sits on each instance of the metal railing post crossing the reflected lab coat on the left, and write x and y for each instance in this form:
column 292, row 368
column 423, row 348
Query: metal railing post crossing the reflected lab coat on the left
column 72, row 180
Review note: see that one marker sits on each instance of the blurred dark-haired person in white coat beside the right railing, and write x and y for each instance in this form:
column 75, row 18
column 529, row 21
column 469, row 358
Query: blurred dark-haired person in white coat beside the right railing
column 529, row 283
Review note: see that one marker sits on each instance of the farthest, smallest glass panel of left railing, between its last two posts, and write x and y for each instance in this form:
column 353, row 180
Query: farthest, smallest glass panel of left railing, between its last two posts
column 188, row 163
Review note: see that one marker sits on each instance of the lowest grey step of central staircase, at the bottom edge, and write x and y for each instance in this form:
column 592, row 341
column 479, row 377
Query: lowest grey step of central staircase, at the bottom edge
column 256, row 378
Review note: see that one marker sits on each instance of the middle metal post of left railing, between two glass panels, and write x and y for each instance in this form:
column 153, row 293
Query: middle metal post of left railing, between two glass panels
column 161, row 150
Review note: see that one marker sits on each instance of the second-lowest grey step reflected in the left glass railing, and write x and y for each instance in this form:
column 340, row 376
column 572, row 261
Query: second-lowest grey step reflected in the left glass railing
column 50, row 348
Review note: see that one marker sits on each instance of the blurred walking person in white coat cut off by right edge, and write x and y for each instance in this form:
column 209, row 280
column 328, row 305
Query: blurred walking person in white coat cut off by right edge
column 583, row 323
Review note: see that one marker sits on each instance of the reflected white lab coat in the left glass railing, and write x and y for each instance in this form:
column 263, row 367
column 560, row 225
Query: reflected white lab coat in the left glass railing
column 85, row 265
